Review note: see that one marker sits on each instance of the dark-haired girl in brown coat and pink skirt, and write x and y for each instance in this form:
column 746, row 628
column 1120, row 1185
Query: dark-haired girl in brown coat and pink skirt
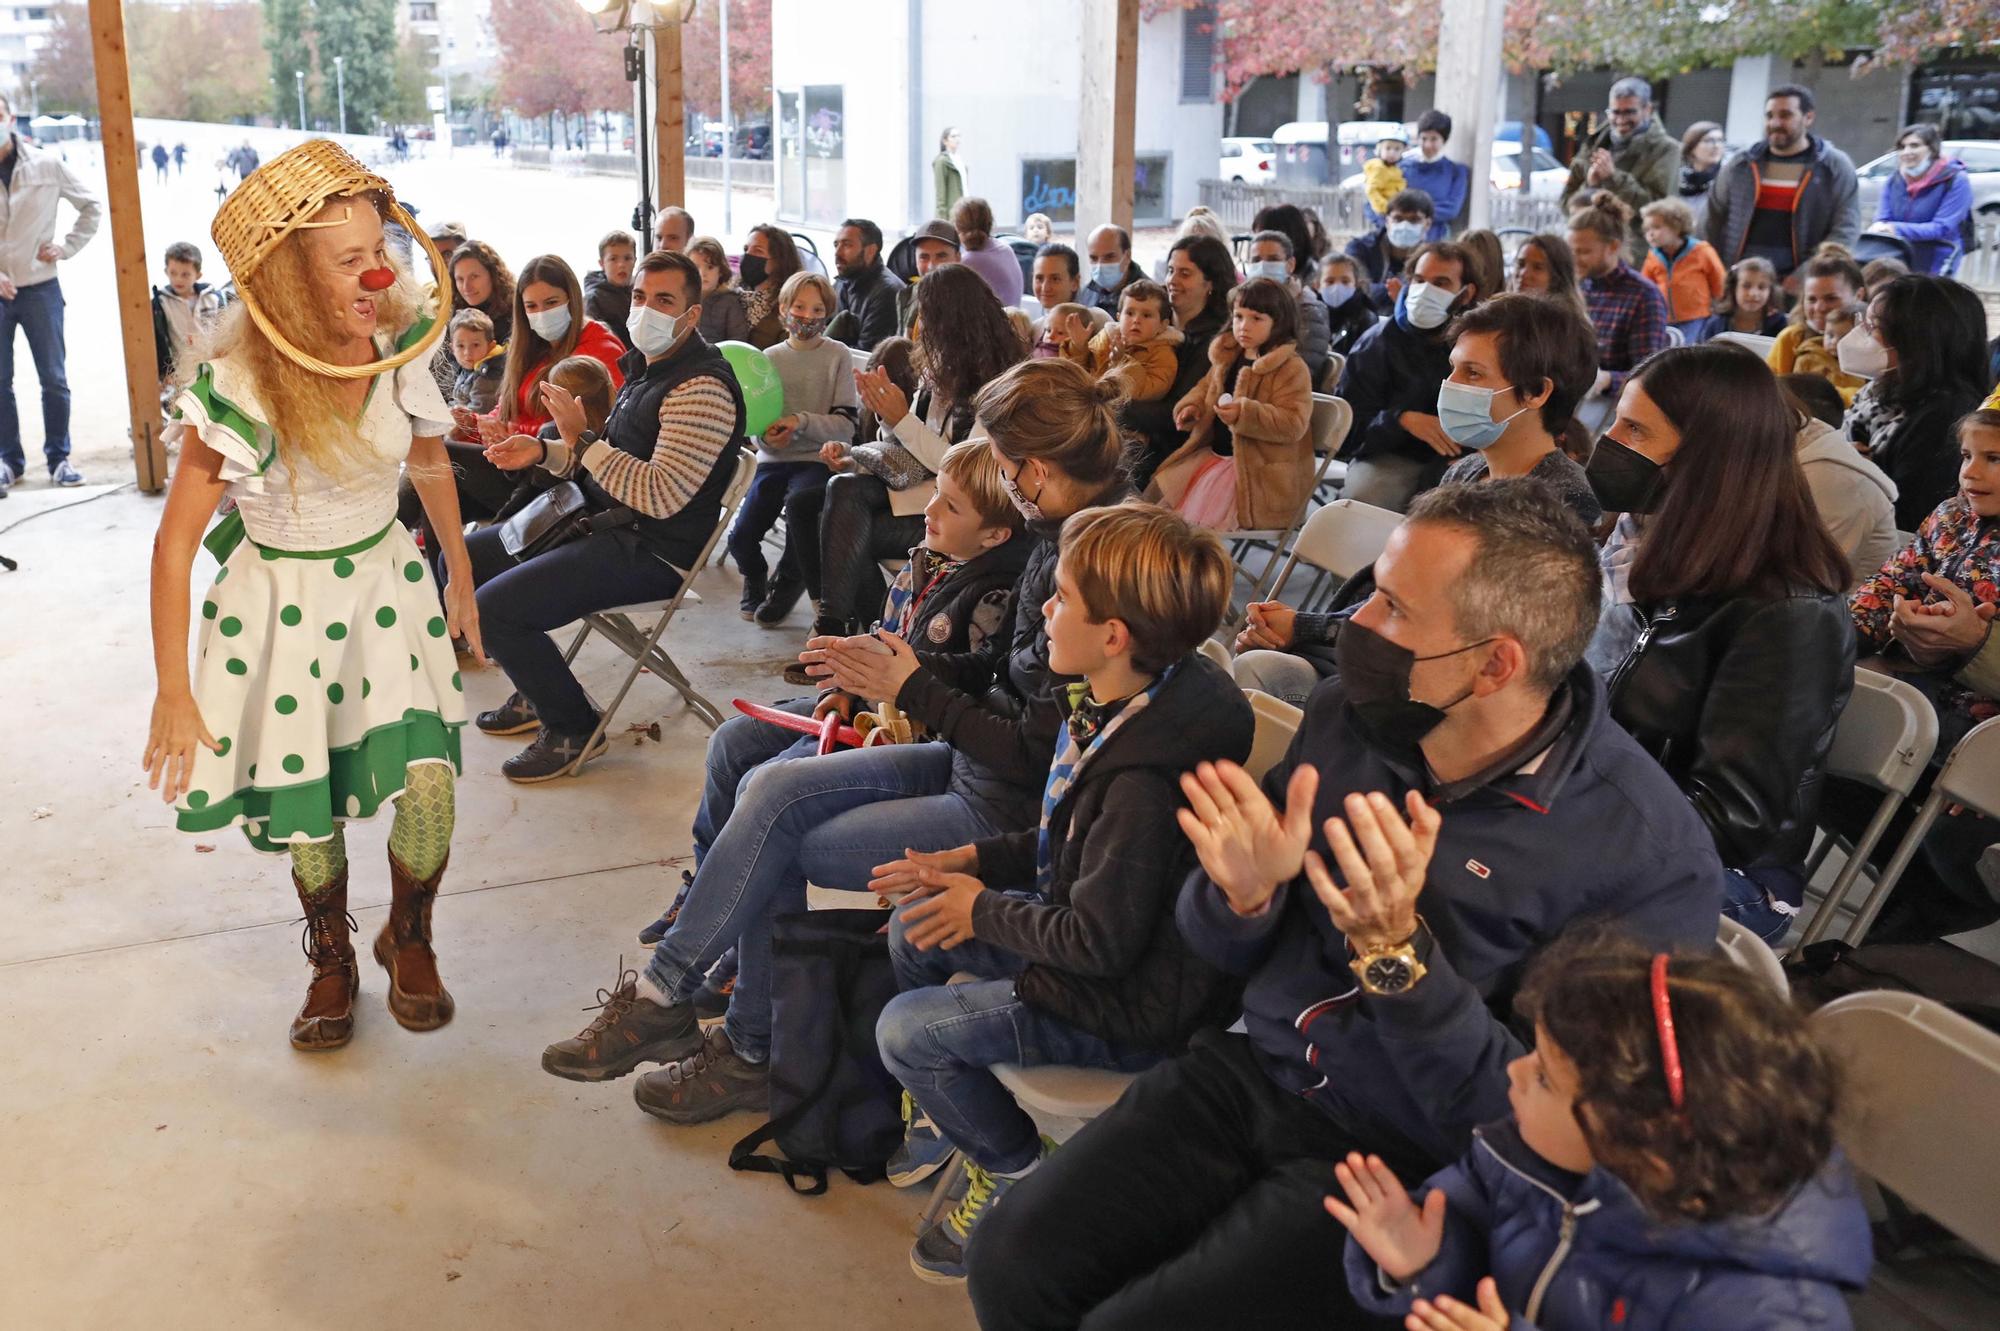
column 1249, row 457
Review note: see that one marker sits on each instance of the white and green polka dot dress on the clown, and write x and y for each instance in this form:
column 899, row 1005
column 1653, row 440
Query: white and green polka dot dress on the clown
column 325, row 666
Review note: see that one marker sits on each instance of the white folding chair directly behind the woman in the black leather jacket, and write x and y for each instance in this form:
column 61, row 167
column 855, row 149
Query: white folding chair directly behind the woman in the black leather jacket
column 1885, row 740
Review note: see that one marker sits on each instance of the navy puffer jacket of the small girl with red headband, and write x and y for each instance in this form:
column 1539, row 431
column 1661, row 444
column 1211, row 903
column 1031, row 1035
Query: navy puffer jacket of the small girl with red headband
column 1579, row 1254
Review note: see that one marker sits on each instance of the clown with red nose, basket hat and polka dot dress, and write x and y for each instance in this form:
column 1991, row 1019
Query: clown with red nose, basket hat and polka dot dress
column 325, row 678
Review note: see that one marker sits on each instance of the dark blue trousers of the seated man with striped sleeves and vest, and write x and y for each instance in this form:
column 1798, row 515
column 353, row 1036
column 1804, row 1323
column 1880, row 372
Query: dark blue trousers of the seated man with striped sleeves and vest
column 523, row 605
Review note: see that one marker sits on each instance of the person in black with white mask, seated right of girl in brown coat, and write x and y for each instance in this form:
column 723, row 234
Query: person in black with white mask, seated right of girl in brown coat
column 1397, row 447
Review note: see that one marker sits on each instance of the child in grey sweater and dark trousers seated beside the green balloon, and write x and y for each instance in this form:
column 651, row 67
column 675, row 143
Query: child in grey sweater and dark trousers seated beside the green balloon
column 819, row 409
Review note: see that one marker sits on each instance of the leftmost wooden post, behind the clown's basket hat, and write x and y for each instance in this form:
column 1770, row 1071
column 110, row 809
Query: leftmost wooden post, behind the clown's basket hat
column 129, row 243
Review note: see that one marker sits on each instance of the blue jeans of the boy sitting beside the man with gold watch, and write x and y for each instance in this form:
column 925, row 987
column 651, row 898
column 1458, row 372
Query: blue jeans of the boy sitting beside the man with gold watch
column 941, row 1040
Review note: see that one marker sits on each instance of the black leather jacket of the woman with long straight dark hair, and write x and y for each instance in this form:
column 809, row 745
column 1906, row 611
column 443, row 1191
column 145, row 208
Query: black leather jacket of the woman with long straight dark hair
column 1737, row 698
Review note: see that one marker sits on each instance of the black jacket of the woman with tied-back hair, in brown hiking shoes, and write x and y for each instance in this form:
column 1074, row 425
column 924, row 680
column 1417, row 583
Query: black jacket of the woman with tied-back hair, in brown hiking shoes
column 999, row 710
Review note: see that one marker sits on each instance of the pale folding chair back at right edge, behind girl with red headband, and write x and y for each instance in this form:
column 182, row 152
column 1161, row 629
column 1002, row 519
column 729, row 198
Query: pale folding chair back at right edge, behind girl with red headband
column 1923, row 1096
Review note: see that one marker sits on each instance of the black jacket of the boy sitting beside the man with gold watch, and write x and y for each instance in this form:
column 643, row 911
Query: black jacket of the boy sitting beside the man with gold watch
column 1103, row 950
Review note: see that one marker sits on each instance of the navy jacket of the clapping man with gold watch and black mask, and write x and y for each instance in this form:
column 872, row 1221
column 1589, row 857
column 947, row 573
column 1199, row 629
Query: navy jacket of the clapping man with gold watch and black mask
column 1597, row 830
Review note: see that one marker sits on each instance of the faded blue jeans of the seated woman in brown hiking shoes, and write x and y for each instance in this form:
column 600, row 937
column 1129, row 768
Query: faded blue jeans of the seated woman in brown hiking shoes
column 827, row 820
